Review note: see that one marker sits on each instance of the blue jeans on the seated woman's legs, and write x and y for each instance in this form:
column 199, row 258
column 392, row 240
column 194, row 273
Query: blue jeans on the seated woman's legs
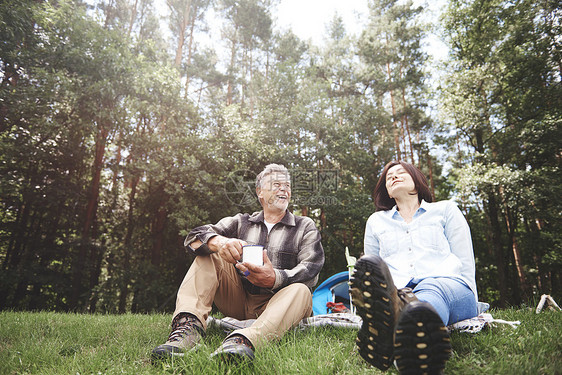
column 451, row 298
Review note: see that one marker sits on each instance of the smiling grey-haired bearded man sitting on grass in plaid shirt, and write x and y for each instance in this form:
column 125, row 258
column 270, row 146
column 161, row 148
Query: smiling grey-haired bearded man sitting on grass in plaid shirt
column 277, row 294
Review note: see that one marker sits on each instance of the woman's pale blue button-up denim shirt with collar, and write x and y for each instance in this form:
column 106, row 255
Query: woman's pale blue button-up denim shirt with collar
column 436, row 243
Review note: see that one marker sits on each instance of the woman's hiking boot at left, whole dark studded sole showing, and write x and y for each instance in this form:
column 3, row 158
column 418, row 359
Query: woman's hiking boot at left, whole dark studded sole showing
column 379, row 303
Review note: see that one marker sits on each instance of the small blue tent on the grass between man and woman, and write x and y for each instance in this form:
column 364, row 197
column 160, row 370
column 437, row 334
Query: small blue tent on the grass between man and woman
column 333, row 289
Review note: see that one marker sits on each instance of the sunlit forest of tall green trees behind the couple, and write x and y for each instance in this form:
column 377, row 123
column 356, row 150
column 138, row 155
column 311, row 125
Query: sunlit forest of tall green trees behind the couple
column 121, row 129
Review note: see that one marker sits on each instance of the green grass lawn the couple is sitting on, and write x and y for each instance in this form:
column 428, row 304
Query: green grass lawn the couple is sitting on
column 53, row 343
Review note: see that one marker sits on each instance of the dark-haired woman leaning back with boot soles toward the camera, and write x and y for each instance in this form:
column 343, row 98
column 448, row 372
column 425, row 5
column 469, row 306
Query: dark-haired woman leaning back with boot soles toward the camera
column 416, row 277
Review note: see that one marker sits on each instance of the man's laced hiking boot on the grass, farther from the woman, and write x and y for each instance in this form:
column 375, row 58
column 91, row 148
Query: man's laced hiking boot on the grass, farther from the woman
column 187, row 331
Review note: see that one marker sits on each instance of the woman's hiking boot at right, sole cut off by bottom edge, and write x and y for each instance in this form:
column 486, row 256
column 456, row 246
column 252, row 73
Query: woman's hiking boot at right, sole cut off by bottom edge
column 421, row 341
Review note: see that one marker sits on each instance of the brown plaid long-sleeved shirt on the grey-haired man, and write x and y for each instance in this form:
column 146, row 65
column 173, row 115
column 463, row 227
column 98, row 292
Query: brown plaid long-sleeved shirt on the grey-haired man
column 293, row 246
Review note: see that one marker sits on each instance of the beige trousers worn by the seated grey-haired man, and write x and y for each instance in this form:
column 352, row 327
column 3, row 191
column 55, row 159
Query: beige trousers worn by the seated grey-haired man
column 212, row 279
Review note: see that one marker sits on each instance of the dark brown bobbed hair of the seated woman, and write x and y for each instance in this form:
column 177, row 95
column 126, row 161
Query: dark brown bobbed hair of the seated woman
column 380, row 194
